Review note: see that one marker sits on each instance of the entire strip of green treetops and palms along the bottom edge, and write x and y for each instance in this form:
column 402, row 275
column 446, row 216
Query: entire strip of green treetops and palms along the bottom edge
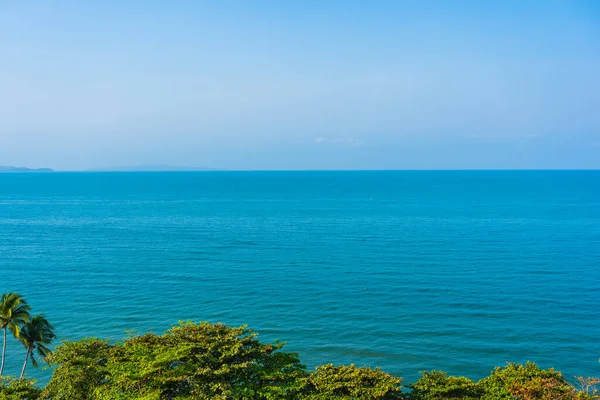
column 215, row 361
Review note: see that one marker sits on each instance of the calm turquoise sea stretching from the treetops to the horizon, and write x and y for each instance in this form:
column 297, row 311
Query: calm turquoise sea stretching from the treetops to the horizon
column 408, row 271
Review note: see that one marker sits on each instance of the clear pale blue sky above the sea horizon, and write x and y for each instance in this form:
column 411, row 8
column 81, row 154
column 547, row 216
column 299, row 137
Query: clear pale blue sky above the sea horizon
column 311, row 84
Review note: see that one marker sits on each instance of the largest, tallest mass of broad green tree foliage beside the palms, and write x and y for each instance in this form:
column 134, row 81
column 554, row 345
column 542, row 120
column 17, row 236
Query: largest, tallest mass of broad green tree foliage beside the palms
column 204, row 361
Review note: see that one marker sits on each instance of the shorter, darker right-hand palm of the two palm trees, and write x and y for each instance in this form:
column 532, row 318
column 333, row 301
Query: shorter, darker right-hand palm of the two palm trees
column 36, row 335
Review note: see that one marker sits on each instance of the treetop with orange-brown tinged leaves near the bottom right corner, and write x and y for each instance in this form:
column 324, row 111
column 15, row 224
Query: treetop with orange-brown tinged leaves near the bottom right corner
column 526, row 382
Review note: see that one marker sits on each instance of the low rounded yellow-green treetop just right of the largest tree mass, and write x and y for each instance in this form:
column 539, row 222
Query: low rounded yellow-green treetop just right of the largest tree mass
column 349, row 382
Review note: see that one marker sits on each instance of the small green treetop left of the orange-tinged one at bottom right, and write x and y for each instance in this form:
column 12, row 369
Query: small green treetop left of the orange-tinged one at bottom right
column 438, row 385
